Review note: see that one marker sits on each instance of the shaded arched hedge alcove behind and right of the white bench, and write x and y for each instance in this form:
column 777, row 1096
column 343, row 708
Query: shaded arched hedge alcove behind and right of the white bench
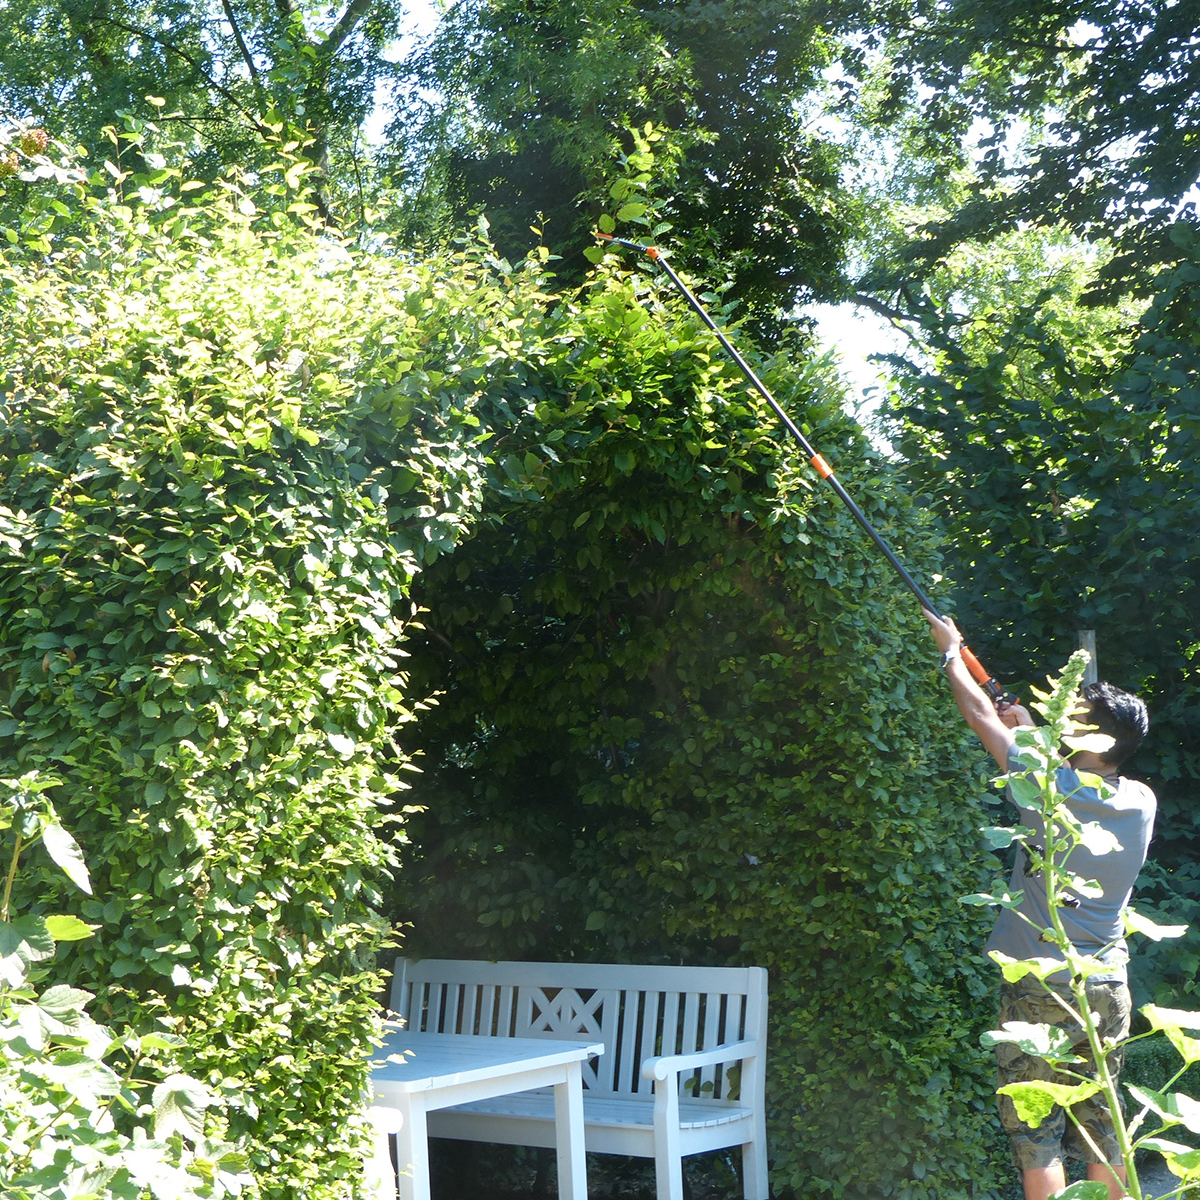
column 688, row 717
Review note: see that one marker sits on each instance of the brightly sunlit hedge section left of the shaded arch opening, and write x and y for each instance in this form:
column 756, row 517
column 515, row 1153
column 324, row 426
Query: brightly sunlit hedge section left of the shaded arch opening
column 227, row 446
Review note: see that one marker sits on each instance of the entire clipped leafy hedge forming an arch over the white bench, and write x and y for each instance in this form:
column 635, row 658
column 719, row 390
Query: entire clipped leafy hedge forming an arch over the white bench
column 686, row 715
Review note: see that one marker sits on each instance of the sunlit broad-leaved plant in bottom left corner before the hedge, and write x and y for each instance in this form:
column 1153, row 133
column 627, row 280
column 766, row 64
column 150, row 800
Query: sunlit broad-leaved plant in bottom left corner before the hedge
column 76, row 1119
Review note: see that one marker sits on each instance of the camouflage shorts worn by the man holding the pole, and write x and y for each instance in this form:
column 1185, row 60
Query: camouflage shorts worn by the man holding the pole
column 1057, row 1137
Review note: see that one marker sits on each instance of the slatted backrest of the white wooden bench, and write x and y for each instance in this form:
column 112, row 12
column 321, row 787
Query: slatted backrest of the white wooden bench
column 637, row 1011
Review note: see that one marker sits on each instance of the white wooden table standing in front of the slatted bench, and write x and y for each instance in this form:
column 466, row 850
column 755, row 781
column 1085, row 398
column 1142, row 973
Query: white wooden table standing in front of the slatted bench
column 443, row 1070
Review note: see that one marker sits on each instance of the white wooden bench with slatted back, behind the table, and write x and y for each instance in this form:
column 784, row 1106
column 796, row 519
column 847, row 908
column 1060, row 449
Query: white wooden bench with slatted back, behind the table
column 683, row 1066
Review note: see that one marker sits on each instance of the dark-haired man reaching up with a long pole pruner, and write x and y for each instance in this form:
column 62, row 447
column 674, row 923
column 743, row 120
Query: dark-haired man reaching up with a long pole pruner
column 1093, row 926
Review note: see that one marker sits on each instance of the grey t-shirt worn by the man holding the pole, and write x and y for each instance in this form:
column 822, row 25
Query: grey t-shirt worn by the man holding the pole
column 1130, row 817
